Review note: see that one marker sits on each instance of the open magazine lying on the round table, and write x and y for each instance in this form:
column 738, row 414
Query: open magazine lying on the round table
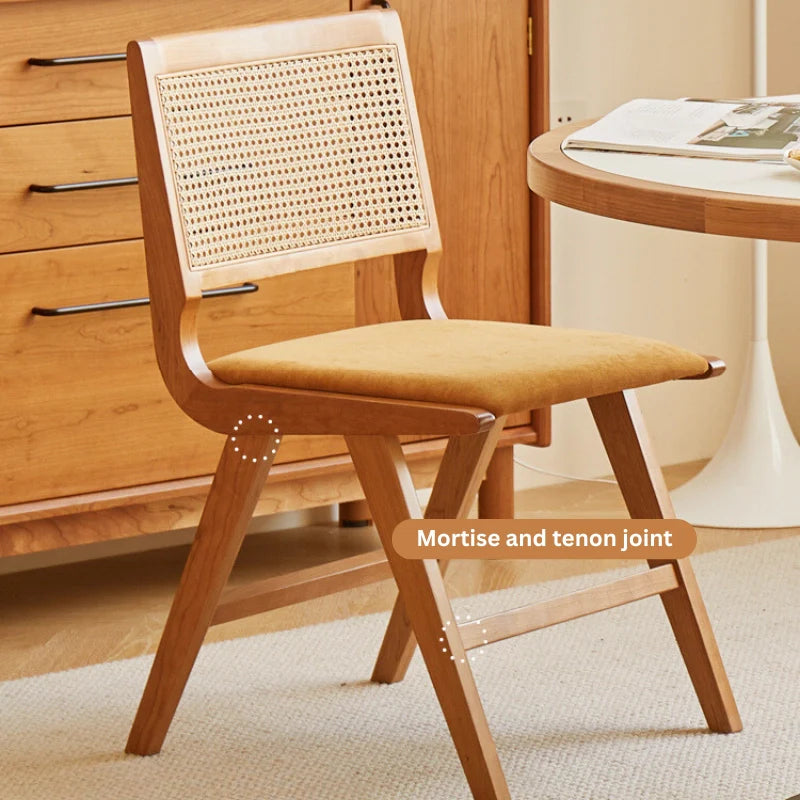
column 744, row 130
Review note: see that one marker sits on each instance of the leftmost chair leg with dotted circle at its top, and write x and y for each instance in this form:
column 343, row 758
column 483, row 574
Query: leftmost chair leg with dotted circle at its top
column 231, row 501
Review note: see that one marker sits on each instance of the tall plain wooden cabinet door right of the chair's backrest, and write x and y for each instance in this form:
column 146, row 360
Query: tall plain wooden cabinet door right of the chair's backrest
column 473, row 78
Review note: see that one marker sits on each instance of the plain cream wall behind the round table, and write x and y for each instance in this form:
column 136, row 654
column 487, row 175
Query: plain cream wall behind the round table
column 690, row 289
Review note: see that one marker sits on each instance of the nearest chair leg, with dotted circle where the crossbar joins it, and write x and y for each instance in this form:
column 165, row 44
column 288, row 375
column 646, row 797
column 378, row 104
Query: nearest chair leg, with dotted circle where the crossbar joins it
column 388, row 487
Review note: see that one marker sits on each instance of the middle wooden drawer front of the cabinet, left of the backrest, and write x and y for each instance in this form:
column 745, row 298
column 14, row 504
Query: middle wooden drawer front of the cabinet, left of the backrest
column 66, row 153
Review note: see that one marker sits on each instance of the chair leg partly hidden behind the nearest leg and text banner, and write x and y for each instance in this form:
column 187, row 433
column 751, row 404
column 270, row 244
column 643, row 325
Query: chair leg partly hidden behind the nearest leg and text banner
column 452, row 495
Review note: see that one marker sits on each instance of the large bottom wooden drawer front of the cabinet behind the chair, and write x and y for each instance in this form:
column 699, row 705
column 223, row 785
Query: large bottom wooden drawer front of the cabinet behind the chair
column 83, row 405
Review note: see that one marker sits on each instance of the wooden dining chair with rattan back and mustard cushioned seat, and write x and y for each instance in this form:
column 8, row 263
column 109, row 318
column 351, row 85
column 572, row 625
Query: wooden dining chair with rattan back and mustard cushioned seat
column 279, row 148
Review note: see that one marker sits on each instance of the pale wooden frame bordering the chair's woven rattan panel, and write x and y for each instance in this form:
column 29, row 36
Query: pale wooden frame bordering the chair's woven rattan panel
column 154, row 60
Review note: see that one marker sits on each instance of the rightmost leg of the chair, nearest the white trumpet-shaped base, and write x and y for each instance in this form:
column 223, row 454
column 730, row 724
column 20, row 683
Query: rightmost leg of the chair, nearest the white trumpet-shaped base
column 621, row 427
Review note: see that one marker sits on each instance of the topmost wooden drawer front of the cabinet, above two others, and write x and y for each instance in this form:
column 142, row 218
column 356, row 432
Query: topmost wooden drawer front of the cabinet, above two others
column 49, row 29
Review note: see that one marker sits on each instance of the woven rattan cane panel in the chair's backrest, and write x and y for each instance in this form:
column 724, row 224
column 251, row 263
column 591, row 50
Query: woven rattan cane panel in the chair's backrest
column 281, row 155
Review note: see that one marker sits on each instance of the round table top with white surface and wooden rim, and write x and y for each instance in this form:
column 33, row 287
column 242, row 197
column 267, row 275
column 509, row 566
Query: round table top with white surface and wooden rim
column 733, row 198
